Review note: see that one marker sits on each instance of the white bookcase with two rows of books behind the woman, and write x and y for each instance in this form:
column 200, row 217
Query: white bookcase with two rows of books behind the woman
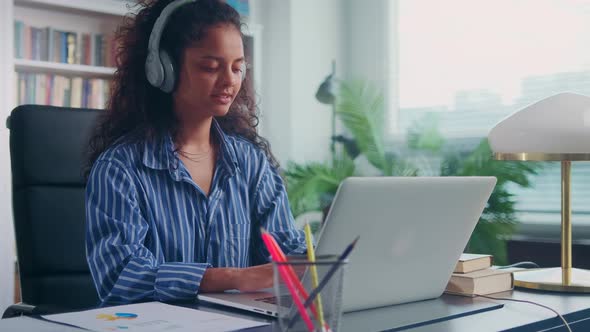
column 61, row 57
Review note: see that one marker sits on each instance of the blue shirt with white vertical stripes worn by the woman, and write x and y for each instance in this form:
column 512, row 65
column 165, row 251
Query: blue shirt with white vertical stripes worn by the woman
column 151, row 231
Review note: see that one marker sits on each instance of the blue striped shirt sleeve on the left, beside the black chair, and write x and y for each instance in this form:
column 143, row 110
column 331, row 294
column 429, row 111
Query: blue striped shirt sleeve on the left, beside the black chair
column 123, row 269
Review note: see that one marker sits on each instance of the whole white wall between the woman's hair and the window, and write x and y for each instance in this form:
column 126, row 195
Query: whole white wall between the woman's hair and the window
column 300, row 39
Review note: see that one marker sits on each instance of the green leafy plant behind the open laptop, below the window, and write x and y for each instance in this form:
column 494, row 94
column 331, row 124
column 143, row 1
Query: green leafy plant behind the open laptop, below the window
column 359, row 106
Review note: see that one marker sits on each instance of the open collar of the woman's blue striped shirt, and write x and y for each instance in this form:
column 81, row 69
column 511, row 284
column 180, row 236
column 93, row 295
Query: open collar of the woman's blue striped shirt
column 160, row 153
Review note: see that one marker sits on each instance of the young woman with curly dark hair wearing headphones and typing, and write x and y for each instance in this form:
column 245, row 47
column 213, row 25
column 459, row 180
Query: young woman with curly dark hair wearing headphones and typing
column 179, row 181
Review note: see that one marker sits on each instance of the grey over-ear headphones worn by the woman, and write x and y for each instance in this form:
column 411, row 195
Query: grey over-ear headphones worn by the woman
column 159, row 66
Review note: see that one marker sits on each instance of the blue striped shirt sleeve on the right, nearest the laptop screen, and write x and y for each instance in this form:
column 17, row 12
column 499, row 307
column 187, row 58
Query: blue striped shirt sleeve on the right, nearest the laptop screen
column 274, row 214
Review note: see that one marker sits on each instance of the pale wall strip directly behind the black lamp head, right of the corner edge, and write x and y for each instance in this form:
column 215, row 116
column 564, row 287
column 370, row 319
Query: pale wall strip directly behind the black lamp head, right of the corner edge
column 316, row 36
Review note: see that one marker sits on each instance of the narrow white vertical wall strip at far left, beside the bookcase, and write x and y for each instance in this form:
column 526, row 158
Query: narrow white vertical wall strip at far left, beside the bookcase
column 6, row 227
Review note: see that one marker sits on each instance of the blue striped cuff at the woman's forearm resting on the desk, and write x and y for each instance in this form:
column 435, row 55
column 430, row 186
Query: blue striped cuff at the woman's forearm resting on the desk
column 179, row 281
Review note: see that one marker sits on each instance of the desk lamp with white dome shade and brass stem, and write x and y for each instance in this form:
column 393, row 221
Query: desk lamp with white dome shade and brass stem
column 554, row 129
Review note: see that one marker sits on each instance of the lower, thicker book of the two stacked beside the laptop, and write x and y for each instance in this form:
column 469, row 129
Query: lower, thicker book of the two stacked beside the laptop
column 480, row 282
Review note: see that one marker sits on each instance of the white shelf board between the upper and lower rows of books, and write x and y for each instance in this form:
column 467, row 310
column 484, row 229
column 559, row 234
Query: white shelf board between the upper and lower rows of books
column 22, row 65
